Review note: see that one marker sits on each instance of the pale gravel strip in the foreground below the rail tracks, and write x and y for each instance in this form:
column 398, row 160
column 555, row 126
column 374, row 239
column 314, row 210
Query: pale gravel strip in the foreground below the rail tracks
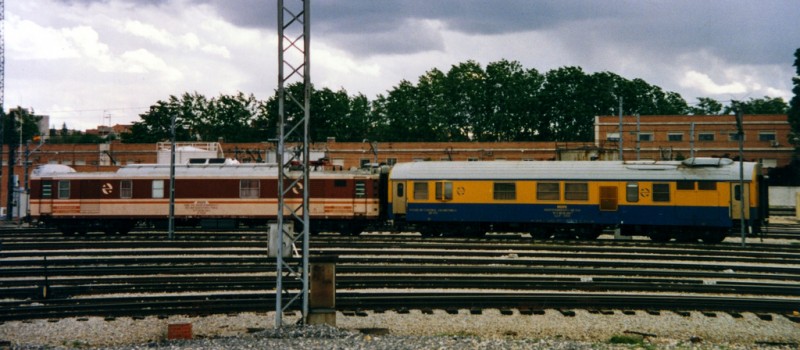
column 413, row 330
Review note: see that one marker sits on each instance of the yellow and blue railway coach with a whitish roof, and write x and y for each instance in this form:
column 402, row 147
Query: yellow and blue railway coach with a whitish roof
column 697, row 198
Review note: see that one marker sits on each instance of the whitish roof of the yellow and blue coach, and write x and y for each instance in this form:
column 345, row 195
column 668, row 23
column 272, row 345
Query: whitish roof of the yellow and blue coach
column 718, row 169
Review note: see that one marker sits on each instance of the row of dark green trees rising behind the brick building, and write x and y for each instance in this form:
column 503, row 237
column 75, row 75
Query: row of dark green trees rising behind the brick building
column 500, row 102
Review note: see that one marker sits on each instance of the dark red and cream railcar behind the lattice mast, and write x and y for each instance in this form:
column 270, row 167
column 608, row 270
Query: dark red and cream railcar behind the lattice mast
column 209, row 195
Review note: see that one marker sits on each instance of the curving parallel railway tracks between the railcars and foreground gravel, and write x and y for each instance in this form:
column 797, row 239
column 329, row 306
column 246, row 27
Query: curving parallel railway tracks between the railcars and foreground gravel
column 204, row 273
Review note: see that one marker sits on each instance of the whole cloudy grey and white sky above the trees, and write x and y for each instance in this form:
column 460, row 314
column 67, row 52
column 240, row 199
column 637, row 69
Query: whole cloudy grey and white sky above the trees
column 92, row 62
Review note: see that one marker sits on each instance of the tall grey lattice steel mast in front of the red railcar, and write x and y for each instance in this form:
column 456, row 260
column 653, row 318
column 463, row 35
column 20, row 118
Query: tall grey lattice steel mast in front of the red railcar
column 293, row 40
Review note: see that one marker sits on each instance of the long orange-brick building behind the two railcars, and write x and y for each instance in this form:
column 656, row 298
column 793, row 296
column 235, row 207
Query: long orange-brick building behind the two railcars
column 659, row 137
